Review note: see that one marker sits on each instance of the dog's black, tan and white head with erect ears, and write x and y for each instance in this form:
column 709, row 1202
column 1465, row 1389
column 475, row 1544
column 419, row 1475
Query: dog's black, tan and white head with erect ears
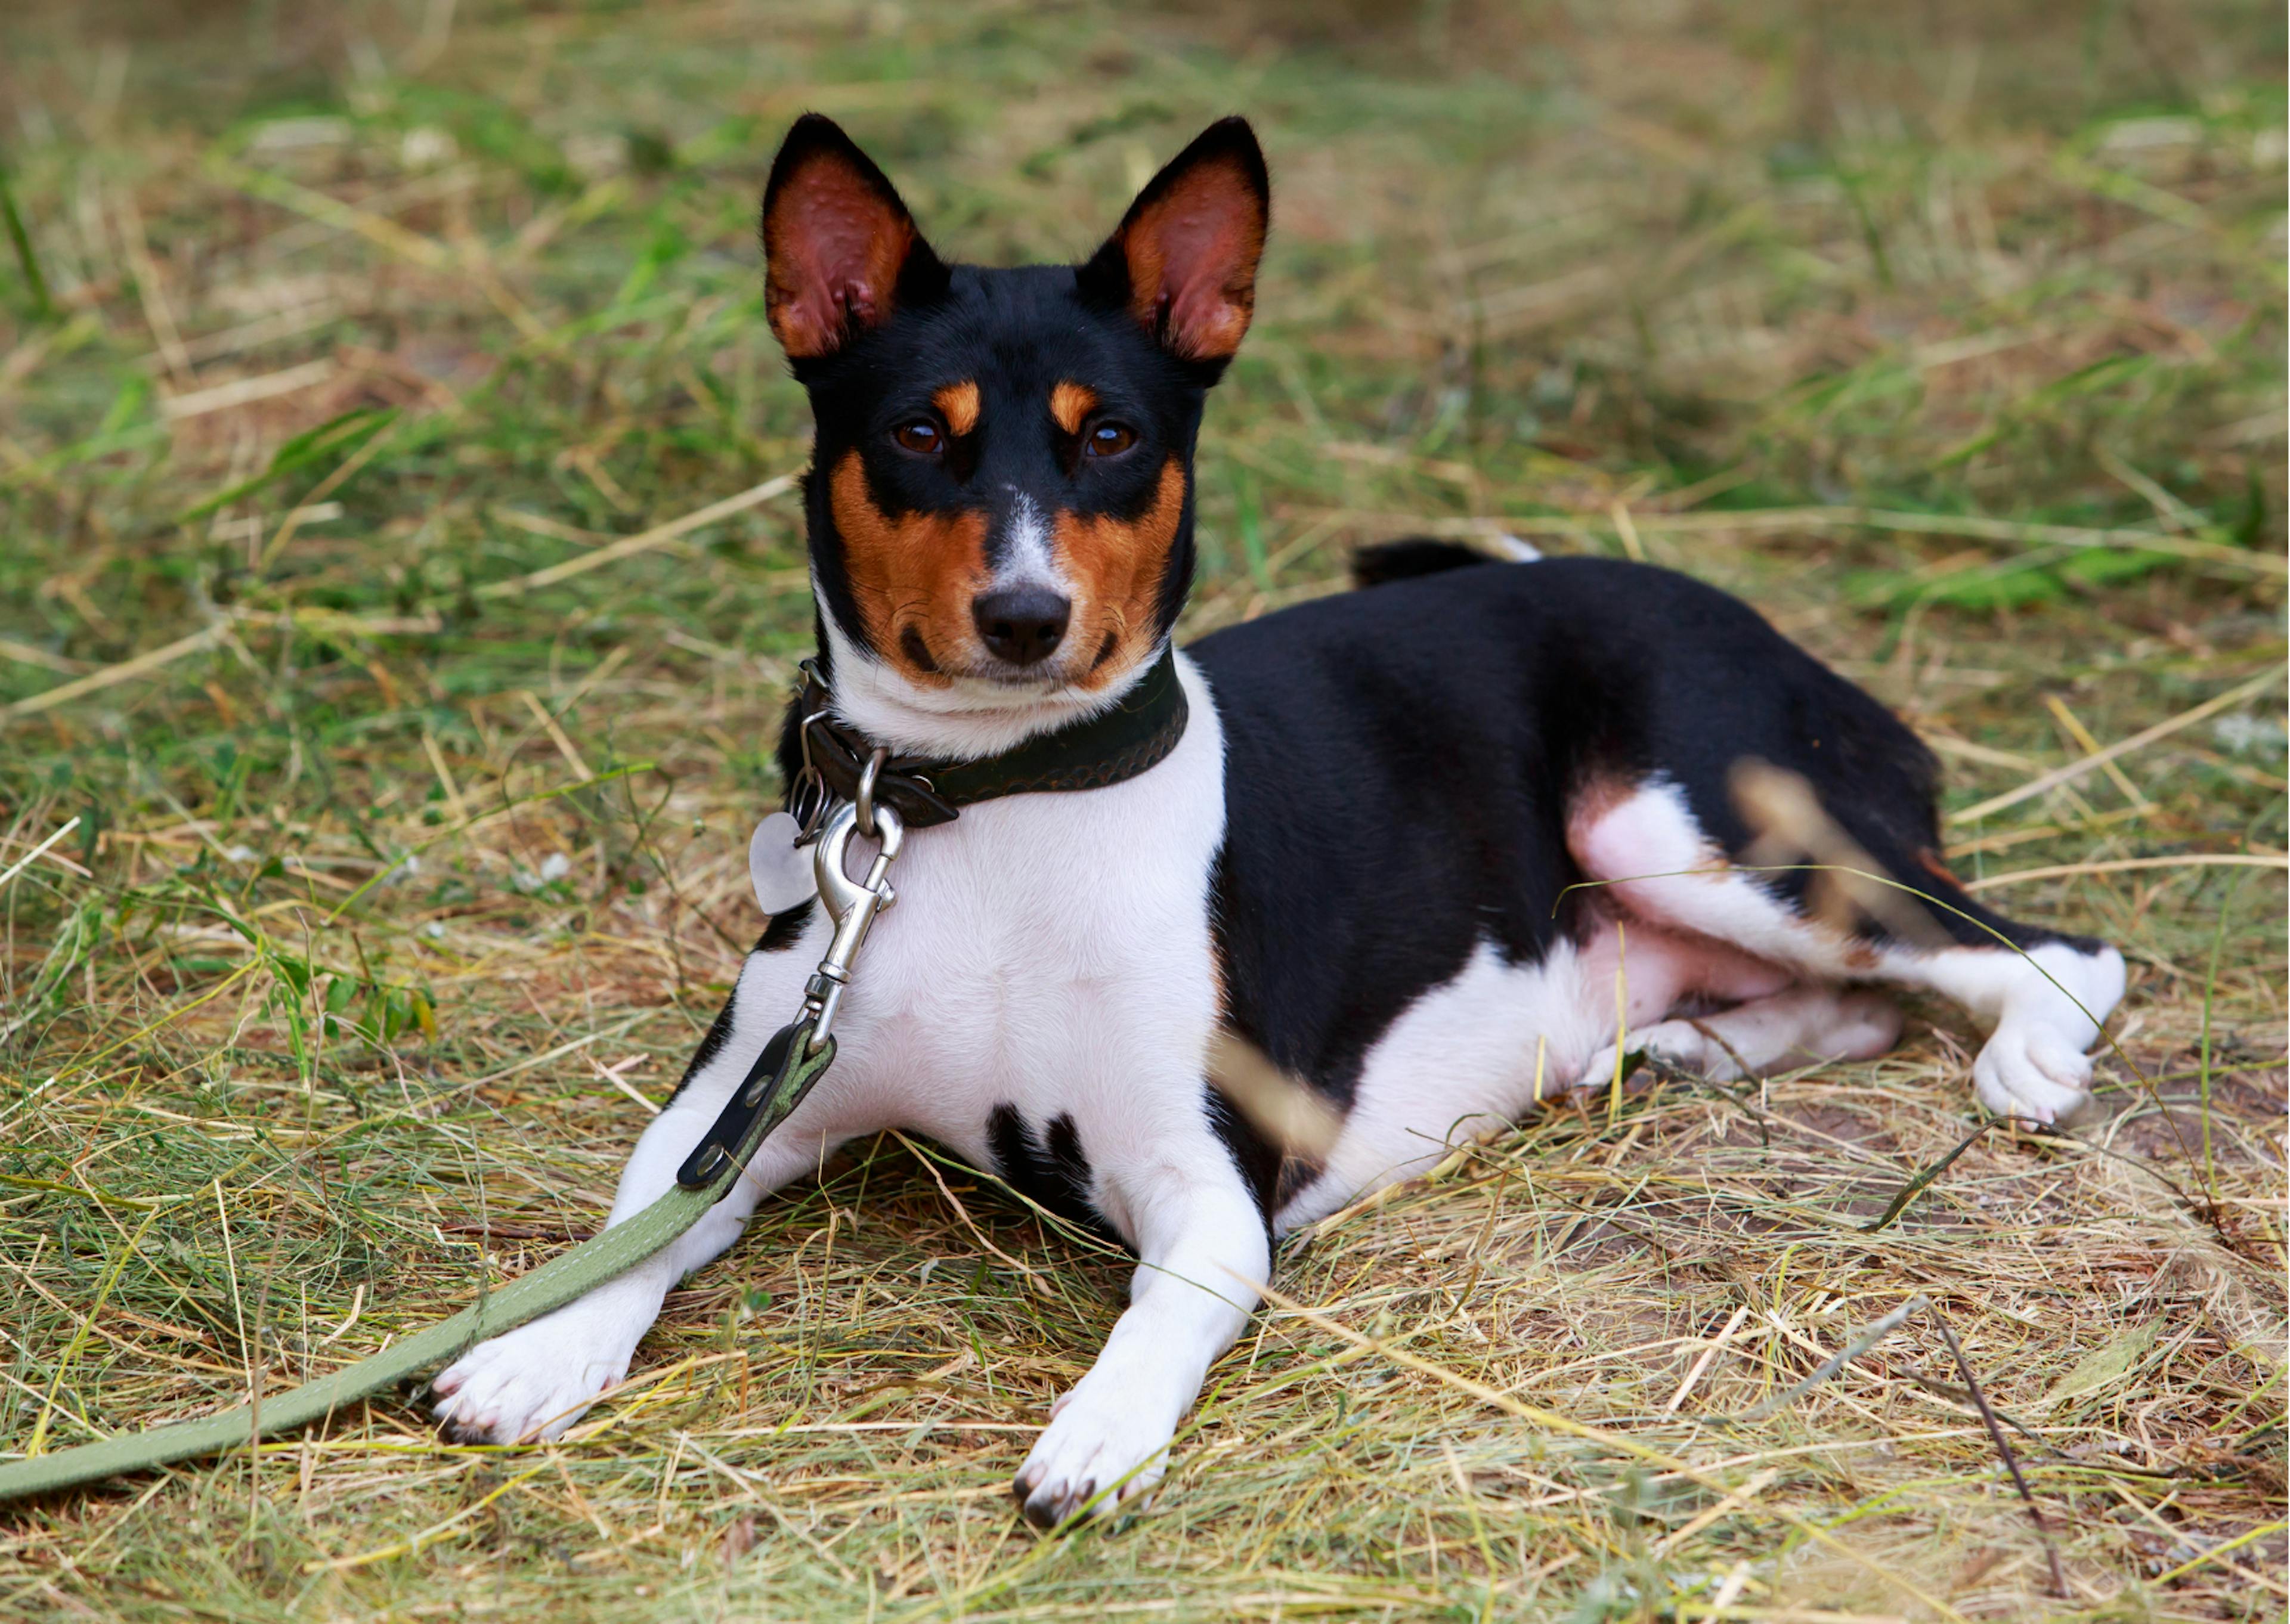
column 1002, row 489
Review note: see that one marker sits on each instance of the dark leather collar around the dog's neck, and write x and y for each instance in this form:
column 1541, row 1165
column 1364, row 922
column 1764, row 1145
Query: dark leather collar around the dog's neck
column 1119, row 743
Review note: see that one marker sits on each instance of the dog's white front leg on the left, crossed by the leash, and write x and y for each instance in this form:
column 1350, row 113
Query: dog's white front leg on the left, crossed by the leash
column 539, row 1378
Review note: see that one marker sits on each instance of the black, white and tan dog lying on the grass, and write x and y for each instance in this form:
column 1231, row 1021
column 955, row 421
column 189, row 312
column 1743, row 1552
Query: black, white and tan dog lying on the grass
column 1384, row 862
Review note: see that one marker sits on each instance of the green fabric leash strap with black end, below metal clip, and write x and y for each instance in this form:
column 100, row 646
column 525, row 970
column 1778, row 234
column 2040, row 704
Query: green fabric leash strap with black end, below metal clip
column 528, row 1298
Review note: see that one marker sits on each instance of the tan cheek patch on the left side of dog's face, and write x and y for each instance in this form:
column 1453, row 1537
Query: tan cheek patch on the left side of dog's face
column 913, row 574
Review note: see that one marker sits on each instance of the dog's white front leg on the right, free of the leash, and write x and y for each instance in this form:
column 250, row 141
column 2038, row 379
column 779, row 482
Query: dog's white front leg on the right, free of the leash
column 1203, row 1254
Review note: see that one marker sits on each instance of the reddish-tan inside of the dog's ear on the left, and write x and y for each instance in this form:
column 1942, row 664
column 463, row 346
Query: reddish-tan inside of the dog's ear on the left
column 835, row 249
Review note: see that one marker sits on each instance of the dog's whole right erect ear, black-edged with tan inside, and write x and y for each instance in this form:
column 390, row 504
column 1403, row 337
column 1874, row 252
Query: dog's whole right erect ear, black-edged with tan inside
column 1185, row 258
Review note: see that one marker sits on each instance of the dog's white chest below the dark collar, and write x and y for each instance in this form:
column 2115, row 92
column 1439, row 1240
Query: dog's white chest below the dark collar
column 1050, row 954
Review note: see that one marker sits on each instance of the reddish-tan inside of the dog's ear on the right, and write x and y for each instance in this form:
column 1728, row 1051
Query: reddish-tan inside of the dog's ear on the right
column 1194, row 262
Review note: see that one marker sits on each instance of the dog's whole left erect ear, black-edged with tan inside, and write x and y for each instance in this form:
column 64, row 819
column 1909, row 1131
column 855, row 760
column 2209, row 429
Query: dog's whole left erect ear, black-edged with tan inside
column 839, row 246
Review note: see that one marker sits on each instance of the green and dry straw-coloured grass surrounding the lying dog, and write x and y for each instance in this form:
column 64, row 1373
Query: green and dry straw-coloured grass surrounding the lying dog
column 1948, row 336
